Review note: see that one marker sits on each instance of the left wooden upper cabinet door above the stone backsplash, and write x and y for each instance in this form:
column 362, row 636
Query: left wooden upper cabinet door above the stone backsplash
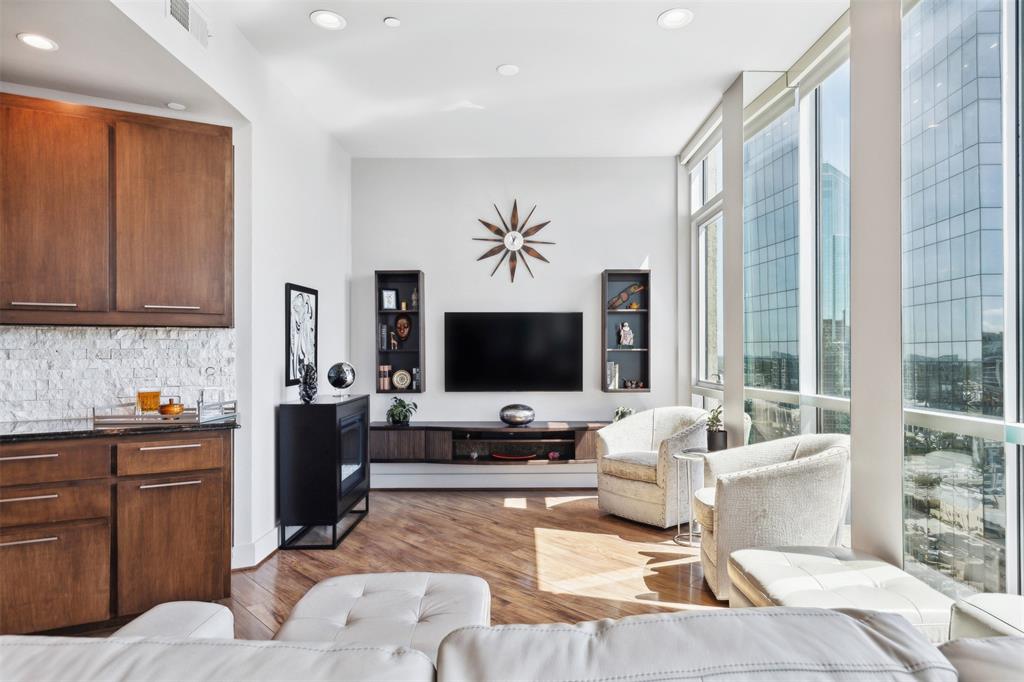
column 56, row 218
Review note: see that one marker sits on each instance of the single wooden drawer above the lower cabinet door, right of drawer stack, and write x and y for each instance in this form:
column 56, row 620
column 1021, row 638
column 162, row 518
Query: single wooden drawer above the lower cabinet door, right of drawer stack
column 167, row 455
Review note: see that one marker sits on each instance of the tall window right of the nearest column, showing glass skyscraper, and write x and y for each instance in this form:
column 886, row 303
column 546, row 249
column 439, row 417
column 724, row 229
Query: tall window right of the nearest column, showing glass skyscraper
column 955, row 308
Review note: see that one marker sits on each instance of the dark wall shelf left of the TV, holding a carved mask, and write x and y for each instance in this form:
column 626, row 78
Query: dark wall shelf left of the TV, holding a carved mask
column 412, row 354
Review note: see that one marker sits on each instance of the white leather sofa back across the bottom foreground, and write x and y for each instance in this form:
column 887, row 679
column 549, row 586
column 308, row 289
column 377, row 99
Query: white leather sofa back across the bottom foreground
column 778, row 644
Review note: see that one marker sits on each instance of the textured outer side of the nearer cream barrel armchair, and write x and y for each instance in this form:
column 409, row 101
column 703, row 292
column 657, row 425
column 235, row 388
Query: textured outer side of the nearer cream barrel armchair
column 801, row 502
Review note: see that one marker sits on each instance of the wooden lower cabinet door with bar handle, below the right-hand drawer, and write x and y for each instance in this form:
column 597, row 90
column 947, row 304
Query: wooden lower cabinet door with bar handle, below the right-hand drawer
column 167, row 547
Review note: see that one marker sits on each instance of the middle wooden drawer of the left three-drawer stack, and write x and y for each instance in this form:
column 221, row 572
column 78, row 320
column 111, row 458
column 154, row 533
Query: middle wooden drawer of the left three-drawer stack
column 26, row 506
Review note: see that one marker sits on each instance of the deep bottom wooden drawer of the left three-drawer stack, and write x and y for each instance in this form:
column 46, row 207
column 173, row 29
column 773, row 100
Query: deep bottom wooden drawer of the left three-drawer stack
column 55, row 576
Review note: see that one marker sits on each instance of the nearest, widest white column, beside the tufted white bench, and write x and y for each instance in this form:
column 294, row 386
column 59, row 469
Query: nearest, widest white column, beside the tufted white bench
column 877, row 402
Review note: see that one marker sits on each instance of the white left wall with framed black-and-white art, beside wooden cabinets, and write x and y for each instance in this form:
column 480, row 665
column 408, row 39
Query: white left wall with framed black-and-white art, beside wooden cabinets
column 292, row 185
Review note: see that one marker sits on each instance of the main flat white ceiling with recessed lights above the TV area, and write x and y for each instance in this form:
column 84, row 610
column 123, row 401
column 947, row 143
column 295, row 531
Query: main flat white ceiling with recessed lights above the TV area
column 598, row 78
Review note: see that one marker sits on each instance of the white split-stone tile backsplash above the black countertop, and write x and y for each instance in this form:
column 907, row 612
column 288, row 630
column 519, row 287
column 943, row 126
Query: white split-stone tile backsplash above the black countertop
column 64, row 372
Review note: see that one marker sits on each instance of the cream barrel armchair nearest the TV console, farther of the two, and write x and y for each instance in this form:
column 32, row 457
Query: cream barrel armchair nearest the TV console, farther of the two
column 636, row 479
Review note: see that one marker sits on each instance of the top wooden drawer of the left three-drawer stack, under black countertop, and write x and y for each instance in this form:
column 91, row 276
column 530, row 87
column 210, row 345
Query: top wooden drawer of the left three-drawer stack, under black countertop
column 51, row 461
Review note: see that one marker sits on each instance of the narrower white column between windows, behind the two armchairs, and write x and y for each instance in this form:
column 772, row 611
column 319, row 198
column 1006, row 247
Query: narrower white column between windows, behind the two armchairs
column 733, row 218
